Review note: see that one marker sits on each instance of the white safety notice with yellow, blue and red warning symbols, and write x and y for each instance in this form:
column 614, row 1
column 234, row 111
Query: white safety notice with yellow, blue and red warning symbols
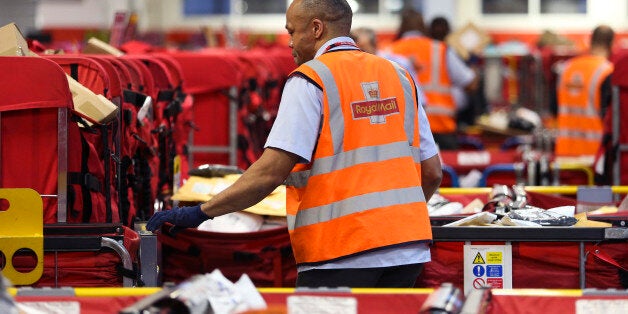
column 487, row 265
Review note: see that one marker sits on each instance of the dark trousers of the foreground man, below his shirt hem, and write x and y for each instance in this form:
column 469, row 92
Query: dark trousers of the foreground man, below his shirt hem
column 403, row 276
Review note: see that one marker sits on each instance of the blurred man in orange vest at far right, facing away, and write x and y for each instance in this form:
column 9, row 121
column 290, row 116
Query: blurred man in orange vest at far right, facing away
column 584, row 93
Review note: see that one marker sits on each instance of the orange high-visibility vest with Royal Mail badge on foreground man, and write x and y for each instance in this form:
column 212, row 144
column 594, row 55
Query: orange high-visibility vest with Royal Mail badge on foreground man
column 362, row 189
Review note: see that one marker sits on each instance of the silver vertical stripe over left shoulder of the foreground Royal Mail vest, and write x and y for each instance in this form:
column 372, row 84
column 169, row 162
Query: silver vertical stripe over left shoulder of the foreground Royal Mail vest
column 336, row 119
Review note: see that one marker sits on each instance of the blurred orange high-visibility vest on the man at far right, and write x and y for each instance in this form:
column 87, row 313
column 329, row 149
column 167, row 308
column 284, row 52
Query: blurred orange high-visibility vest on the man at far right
column 579, row 123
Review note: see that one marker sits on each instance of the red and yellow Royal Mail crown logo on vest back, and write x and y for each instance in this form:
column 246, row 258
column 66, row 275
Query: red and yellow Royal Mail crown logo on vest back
column 374, row 108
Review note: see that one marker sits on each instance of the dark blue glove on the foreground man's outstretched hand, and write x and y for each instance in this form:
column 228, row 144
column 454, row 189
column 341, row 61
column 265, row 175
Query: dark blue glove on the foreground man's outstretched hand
column 187, row 217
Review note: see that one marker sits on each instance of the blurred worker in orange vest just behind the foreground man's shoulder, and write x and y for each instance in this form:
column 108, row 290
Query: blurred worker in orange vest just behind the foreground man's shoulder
column 438, row 69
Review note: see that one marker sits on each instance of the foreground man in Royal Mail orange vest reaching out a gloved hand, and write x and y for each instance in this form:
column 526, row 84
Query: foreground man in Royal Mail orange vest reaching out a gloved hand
column 348, row 149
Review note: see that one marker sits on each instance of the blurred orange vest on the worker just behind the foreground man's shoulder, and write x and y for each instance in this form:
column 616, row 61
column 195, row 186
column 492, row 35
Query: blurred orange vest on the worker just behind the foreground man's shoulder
column 429, row 59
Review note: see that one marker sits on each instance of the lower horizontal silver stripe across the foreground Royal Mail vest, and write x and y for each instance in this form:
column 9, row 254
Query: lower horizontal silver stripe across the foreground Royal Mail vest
column 355, row 204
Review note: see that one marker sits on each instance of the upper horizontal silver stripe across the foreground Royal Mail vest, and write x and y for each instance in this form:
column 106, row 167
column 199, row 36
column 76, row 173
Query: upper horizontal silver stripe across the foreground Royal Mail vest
column 353, row 157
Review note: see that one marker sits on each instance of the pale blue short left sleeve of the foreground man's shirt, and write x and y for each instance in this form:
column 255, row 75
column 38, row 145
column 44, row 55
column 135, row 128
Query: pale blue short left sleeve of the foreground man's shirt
column 298, row 120
